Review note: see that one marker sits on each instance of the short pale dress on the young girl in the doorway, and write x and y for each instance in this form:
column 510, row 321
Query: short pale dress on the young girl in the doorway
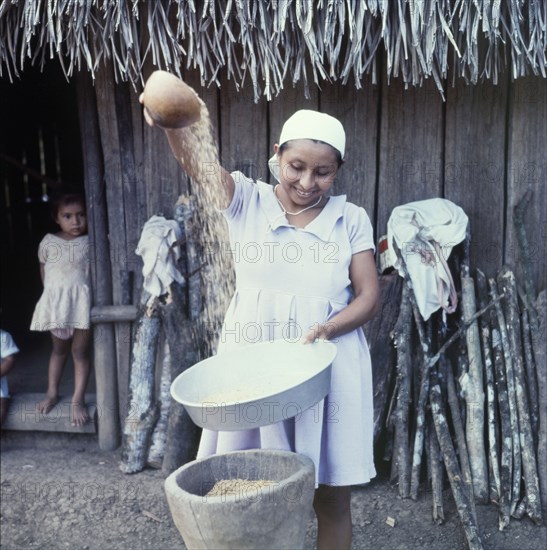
column 66, row 299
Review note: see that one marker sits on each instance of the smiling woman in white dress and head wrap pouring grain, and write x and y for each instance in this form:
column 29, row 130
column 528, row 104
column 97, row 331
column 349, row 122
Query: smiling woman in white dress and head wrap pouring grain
column 315, row 277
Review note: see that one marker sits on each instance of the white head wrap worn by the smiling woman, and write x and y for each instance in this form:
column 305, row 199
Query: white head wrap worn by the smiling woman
column 307, row 124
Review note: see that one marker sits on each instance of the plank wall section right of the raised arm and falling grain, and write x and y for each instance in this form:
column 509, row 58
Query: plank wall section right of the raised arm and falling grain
column 406, row 145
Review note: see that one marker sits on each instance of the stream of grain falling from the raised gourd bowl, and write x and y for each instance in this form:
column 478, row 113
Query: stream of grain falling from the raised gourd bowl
column 201, row 162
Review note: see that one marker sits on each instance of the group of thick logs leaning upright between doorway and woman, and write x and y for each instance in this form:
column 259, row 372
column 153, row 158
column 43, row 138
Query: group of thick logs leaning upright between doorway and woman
column 158, row 431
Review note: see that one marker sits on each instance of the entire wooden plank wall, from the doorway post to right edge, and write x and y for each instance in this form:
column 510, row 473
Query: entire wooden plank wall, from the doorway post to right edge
column 482, row 148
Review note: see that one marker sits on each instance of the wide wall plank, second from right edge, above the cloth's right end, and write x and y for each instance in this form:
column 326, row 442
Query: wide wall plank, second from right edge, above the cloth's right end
column 475, row 167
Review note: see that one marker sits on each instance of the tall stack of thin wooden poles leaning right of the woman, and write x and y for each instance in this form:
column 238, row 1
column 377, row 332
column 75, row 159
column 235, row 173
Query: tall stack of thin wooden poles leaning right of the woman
column 480, row 398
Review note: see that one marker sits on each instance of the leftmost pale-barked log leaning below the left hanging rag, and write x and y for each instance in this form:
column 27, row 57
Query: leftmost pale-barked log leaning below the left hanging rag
column 143, row 409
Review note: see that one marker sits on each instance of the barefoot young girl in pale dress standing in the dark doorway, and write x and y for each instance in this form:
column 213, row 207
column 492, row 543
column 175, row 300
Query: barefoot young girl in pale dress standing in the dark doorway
column 65, row 304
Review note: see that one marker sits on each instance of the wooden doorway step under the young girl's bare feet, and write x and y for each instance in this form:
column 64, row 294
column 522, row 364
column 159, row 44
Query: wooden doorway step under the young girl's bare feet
column 22, row 415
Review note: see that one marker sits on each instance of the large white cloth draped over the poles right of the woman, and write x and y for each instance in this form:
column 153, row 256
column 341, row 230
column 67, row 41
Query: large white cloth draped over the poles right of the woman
column 425, row 232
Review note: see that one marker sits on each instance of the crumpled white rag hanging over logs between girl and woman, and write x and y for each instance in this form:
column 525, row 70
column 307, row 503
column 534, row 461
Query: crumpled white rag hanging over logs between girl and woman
column 159, row 255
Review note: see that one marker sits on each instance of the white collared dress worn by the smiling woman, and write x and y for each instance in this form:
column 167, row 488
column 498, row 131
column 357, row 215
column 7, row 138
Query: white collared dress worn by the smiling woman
column 288, row 279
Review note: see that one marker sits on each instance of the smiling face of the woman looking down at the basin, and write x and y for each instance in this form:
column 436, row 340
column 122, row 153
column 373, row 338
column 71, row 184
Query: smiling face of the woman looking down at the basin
column 307, row 170
